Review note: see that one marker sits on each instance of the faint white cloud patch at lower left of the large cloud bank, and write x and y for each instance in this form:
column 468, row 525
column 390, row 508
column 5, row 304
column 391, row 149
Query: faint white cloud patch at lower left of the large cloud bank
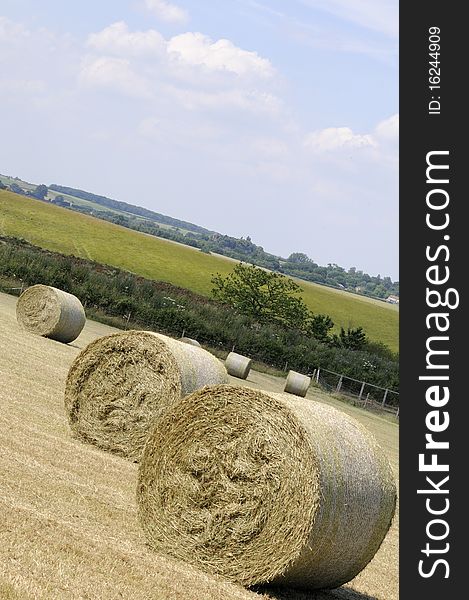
column 114, row 73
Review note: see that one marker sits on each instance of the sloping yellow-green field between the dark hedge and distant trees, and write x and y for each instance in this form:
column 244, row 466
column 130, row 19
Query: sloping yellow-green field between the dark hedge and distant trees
column 65, row 231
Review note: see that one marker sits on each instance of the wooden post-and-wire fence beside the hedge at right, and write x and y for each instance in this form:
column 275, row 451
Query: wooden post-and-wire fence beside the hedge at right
column 366, row 395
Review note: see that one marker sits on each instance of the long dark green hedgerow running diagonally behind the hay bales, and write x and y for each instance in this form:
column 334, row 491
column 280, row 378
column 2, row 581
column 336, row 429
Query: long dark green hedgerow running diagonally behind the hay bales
column 142, row 303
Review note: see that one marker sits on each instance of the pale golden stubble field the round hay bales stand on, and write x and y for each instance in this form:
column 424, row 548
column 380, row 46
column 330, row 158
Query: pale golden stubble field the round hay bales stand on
column 69, row 527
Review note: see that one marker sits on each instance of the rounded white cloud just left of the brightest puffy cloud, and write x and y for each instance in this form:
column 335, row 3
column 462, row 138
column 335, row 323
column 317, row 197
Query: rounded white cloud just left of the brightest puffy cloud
column 117, row 39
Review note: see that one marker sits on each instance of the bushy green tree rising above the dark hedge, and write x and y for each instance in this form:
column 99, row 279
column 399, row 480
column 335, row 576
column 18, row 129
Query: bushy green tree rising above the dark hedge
column 266, row 296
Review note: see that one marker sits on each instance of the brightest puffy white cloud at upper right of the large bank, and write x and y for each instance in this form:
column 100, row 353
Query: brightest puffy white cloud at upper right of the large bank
column 194, row 48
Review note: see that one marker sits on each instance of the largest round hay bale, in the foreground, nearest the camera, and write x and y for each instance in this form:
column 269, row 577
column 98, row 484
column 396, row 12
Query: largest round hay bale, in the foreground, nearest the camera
column 261, row 487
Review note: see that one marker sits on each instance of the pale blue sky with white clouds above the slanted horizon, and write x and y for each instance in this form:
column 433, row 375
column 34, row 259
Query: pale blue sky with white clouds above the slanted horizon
column 268, row 118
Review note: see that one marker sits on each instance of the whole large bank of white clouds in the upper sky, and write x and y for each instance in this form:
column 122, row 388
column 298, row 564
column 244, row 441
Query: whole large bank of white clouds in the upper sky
column 119, row 63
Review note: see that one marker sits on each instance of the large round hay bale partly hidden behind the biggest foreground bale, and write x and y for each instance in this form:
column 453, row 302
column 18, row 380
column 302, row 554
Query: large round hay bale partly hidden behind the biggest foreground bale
column 119, row 383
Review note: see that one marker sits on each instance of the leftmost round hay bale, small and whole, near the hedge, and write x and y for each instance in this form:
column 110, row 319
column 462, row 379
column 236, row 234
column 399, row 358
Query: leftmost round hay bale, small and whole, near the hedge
column 50, row 312
